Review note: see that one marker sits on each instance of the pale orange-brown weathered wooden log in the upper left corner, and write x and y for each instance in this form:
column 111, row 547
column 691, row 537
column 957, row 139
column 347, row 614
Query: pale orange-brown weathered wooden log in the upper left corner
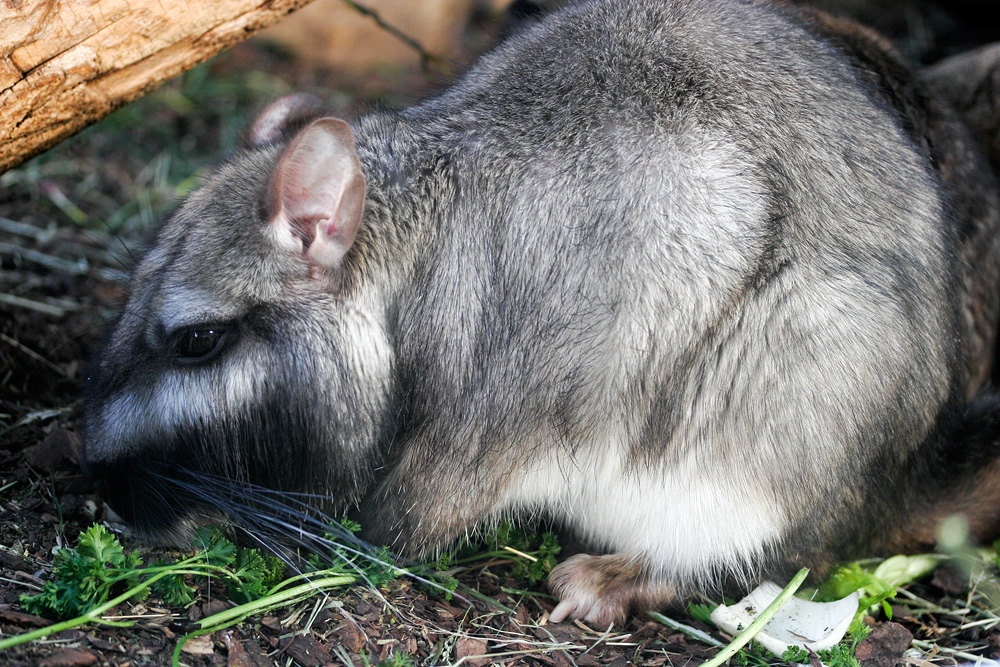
column 66, row 63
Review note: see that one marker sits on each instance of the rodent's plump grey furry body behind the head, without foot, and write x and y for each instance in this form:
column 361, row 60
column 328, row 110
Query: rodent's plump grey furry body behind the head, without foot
column 696, row 241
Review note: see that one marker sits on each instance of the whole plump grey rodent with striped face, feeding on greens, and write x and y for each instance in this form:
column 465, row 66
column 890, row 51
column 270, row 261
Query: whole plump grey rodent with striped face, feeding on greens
column 714, row 283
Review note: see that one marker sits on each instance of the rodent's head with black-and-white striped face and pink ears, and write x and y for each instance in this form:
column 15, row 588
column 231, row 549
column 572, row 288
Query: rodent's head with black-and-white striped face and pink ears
column 245, row 357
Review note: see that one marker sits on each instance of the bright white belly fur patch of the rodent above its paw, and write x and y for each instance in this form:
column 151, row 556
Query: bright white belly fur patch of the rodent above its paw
column 689, row 522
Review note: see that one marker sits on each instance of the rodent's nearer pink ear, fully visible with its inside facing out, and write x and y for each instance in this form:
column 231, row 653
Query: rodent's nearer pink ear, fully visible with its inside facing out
column 318, row 193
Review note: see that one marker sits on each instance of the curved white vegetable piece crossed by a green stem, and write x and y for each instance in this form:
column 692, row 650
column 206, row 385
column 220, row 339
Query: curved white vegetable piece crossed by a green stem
column 814, row 625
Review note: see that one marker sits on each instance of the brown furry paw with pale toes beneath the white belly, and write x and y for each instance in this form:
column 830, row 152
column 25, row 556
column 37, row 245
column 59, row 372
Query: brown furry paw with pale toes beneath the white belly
column 604, row 589
